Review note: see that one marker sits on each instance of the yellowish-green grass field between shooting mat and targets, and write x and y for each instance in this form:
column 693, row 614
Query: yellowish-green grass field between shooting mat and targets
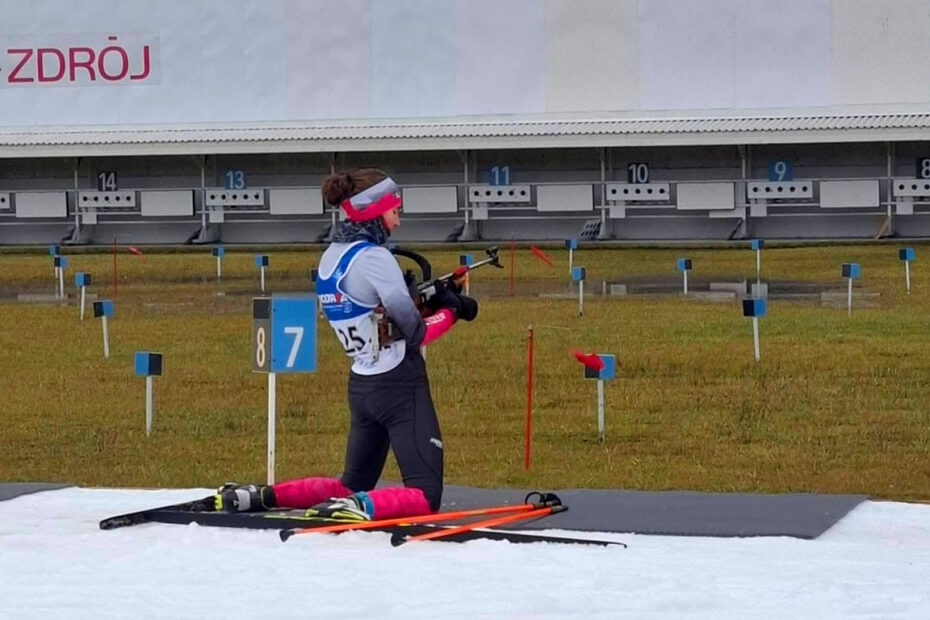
column 838, row 404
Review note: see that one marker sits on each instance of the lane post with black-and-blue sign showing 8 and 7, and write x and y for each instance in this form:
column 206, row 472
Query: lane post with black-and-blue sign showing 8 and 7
column 283, row 340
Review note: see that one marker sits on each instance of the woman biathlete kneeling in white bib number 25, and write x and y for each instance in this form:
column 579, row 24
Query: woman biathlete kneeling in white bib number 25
column 388, row 389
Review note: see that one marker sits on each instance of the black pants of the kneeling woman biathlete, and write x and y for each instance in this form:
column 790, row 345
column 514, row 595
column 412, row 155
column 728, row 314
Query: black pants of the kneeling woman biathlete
column 394, row 410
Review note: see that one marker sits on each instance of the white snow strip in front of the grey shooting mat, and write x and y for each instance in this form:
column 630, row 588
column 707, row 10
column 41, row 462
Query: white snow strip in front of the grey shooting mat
column 56, row 563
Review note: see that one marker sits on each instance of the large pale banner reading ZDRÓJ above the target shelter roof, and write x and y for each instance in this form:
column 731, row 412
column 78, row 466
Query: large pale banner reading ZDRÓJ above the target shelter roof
column 119, row 62
